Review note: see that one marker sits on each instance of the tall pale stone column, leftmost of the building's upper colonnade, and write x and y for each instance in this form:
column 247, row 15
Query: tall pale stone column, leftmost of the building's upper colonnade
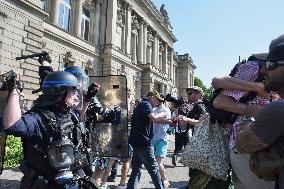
column 128, row 29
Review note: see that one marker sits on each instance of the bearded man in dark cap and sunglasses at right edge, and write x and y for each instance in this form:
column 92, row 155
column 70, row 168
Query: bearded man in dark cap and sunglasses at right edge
column 268, row 129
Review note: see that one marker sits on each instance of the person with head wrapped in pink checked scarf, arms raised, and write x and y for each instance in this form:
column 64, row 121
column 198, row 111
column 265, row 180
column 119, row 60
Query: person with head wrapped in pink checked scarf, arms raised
column 229, row 100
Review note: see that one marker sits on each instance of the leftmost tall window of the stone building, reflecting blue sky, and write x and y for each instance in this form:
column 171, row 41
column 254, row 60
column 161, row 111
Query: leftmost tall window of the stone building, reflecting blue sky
column 64, row 14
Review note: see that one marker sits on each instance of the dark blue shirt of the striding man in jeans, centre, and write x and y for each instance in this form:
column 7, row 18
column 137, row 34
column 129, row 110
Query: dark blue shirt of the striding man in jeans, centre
column 141, row 133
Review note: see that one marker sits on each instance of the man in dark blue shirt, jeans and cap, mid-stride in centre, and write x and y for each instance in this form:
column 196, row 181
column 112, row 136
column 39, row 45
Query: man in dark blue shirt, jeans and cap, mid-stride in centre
column 141, row 137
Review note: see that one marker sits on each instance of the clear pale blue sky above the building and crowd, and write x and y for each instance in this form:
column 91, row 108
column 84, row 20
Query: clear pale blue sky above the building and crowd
column 216, row 32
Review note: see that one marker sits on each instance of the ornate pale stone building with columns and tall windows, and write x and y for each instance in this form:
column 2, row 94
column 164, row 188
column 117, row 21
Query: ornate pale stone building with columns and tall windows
column 105, row 37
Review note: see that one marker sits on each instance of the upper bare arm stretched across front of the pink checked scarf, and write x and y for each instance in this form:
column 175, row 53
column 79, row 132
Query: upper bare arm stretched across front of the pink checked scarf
column 228, row 82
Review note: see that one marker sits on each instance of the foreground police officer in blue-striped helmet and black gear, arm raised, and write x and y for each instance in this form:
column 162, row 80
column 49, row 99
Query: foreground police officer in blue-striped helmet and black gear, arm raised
column 53, row 151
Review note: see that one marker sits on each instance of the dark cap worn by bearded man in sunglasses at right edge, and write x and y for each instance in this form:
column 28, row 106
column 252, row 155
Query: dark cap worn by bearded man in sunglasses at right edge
column 276, row 50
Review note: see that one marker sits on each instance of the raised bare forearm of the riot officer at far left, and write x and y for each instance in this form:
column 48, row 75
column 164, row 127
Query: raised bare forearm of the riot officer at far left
column 12, row 111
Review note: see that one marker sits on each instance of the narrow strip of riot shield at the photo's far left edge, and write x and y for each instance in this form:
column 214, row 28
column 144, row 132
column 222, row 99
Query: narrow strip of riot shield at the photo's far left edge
column 3, row 97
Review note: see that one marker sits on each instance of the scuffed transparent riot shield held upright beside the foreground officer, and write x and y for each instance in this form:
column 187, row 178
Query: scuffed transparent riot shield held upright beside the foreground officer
column 109, row 134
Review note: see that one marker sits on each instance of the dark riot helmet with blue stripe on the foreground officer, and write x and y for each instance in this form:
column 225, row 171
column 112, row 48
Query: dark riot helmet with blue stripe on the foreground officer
column 58, row 84
